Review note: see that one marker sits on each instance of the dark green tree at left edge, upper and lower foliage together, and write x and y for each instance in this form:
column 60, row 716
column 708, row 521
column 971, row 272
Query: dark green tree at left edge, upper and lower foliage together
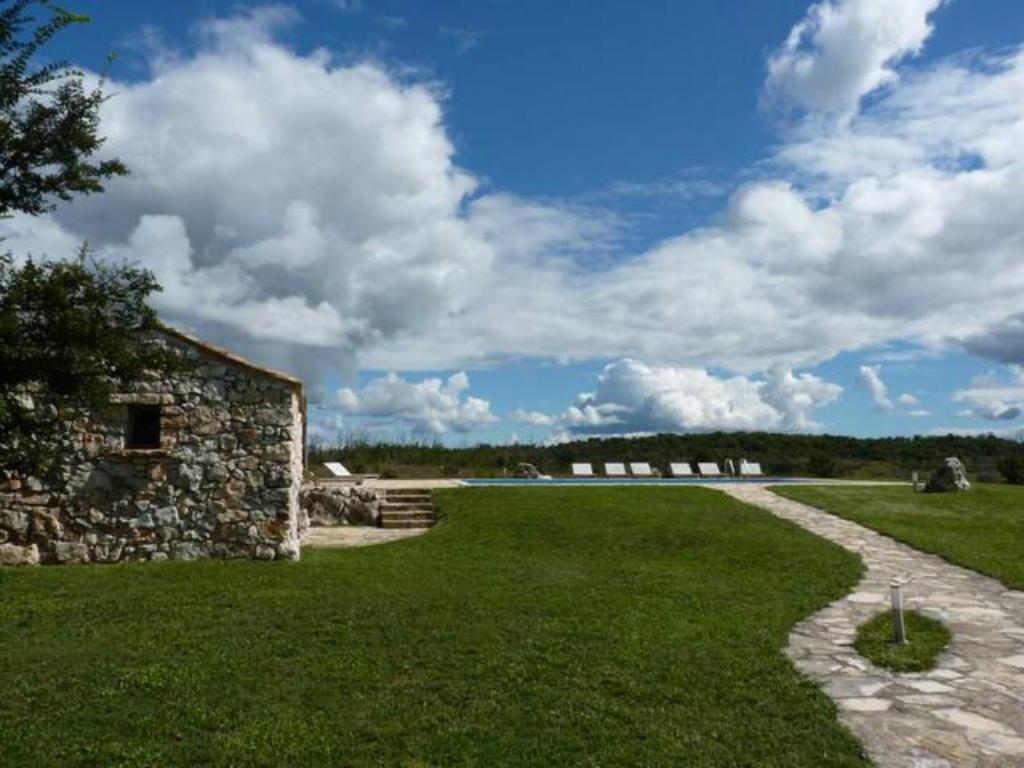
column 69, row 330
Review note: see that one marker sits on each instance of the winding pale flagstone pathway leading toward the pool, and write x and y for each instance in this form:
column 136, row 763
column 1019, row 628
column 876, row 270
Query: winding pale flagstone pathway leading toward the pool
column 968, row 712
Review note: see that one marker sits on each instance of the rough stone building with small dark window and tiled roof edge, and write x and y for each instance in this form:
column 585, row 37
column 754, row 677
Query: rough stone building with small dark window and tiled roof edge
column 206, row 461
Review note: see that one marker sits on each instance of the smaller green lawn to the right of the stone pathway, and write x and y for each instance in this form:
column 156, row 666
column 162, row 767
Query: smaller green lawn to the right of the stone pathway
column 983, row 530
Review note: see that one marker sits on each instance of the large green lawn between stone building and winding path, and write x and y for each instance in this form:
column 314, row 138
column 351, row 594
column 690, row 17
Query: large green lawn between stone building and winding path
column 533, row 627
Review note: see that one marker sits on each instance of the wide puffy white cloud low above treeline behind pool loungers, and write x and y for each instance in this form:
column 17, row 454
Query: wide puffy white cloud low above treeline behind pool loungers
column 635, row 398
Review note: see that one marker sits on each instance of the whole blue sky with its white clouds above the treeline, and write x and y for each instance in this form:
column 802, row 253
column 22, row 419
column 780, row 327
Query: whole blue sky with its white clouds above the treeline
column 488, row 221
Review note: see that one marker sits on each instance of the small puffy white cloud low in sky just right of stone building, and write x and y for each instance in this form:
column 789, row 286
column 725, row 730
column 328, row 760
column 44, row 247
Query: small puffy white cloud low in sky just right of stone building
column 431, row 407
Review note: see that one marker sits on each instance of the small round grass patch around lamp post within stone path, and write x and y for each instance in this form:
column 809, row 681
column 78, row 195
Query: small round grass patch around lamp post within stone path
column 926, row 639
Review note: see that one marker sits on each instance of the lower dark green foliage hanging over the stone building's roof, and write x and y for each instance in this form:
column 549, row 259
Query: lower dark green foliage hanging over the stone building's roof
column 70, row 336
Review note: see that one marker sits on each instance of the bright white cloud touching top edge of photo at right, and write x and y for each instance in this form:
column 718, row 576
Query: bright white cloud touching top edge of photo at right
column 844, row 50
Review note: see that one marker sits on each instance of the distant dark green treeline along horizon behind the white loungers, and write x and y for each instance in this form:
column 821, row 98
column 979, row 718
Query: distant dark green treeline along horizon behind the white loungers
column 780, row 455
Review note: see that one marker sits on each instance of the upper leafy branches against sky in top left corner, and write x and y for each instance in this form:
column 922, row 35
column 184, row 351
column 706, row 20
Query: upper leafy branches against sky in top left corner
column 49, row 119
